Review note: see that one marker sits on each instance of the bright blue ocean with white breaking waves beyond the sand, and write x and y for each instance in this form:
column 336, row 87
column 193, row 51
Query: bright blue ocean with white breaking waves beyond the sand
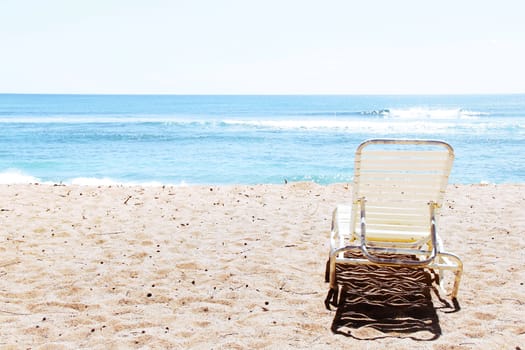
column 194, row 139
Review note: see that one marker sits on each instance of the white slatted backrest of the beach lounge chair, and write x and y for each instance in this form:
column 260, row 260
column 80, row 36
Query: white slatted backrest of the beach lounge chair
column 398, row 179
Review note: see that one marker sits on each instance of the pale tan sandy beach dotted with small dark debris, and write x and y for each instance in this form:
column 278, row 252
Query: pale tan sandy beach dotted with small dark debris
column 233, row 267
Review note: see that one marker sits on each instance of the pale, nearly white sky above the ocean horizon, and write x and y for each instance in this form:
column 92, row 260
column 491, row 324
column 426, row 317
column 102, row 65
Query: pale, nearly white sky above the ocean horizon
column 262, row 47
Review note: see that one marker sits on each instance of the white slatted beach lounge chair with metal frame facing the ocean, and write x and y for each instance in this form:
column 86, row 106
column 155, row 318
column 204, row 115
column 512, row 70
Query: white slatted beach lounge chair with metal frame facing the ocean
column 397, row 193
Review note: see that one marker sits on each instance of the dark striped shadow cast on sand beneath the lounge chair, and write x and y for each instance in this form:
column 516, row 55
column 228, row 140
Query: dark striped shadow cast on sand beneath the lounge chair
column 379, row 302
